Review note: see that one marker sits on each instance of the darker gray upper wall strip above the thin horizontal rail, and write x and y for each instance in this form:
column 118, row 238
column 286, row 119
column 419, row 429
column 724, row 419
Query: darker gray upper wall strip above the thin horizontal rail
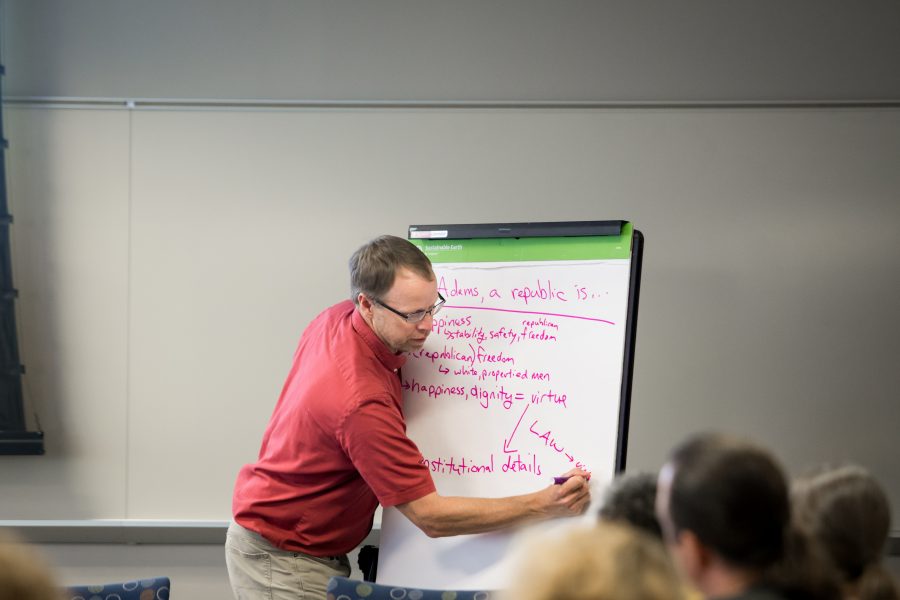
column 520, row 50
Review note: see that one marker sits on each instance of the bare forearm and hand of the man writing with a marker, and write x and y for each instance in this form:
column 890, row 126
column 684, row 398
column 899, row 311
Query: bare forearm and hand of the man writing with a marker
column 440, row 516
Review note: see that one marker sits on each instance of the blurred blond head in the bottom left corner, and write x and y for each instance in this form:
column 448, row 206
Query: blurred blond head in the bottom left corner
column 23, row 574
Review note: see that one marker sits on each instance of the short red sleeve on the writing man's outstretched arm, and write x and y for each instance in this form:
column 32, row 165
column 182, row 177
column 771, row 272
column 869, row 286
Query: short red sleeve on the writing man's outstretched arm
column 374, row 438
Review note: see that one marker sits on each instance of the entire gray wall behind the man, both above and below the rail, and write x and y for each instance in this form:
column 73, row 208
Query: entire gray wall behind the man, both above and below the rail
column 168, row 255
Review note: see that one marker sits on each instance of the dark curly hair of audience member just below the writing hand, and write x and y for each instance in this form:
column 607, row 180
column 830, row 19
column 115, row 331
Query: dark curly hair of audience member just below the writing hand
column 631, row 499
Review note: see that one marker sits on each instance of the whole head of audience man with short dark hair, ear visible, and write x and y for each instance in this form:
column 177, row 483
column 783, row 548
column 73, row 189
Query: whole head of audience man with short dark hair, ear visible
column 724, row 510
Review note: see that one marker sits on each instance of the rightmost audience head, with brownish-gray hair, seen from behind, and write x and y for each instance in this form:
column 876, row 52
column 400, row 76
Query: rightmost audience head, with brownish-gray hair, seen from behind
column 846, row 511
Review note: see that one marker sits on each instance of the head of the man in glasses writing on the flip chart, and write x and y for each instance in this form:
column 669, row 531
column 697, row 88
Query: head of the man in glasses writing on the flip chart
column 394, row 288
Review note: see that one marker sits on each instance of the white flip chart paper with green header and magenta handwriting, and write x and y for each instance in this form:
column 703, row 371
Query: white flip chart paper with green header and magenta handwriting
column 520, row 381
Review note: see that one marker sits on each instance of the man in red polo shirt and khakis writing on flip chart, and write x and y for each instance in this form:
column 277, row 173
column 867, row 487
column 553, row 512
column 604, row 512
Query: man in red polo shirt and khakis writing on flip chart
column 336, row 443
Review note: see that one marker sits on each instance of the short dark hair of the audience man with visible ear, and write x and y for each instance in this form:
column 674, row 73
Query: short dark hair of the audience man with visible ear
column 733, row 496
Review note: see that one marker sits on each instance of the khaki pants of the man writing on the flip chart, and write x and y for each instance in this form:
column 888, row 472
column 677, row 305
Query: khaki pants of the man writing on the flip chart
column 260, row 571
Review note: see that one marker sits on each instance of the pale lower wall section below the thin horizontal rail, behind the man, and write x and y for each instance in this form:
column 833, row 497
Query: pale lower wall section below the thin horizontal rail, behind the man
column 168, row 260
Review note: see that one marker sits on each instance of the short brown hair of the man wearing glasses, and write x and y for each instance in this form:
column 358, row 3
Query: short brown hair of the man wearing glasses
column 373, row 267
